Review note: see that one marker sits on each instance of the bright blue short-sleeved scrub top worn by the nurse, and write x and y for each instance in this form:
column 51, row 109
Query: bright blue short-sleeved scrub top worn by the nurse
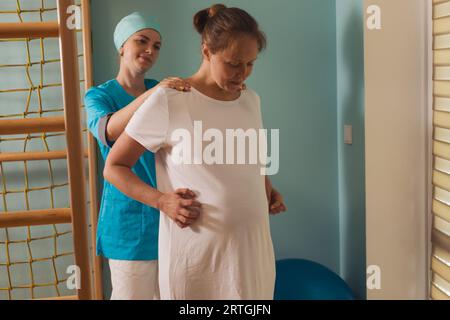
column 127, row 229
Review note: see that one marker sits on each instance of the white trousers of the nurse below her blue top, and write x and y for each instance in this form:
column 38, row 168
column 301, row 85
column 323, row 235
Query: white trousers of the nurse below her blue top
column 134, row 280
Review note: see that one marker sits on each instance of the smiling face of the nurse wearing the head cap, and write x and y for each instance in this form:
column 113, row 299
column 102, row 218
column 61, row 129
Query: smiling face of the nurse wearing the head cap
column 141, row 50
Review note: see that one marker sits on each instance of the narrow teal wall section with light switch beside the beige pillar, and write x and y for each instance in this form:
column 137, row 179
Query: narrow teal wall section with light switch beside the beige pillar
column 350, row 111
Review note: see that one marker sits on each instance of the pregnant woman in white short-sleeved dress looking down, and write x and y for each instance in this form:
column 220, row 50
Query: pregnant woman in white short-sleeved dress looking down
column 227, row 253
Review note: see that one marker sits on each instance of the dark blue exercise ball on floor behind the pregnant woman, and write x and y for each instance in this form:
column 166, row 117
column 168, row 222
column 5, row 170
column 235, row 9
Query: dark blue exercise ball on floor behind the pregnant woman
column 300, row 279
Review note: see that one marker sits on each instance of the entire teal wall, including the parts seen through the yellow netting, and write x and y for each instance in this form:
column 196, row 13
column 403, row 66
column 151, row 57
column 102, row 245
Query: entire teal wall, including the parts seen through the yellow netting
column 310, row 80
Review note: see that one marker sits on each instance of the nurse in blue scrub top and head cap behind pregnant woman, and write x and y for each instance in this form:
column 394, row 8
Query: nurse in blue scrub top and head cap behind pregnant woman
column 127, row 231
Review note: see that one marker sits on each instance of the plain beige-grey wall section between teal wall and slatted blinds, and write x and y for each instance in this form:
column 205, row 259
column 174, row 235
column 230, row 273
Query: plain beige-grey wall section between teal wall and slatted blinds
column 398, row 154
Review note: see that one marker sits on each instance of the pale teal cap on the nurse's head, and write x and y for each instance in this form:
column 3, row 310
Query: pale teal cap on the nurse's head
column 131, row 24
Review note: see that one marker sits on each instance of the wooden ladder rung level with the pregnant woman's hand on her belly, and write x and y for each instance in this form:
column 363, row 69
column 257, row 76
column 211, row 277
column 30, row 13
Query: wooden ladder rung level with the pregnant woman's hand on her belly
column 35, row 217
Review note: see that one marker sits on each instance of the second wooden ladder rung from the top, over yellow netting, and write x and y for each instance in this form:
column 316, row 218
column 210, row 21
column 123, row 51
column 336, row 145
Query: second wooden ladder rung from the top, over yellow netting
column 34, row 125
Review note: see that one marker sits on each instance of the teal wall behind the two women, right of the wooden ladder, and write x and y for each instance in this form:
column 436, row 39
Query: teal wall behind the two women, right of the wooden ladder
column 305, row 80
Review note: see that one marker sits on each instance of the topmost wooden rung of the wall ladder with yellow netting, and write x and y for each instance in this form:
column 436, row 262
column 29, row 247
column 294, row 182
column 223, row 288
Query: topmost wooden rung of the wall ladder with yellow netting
column 11, row 30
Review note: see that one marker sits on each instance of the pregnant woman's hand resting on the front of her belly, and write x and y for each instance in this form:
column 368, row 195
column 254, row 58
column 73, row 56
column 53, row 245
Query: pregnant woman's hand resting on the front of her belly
column 180, row 206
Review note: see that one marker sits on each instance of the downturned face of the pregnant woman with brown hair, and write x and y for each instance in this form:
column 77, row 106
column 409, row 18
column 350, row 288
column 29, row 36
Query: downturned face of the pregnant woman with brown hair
column 232, row 66
